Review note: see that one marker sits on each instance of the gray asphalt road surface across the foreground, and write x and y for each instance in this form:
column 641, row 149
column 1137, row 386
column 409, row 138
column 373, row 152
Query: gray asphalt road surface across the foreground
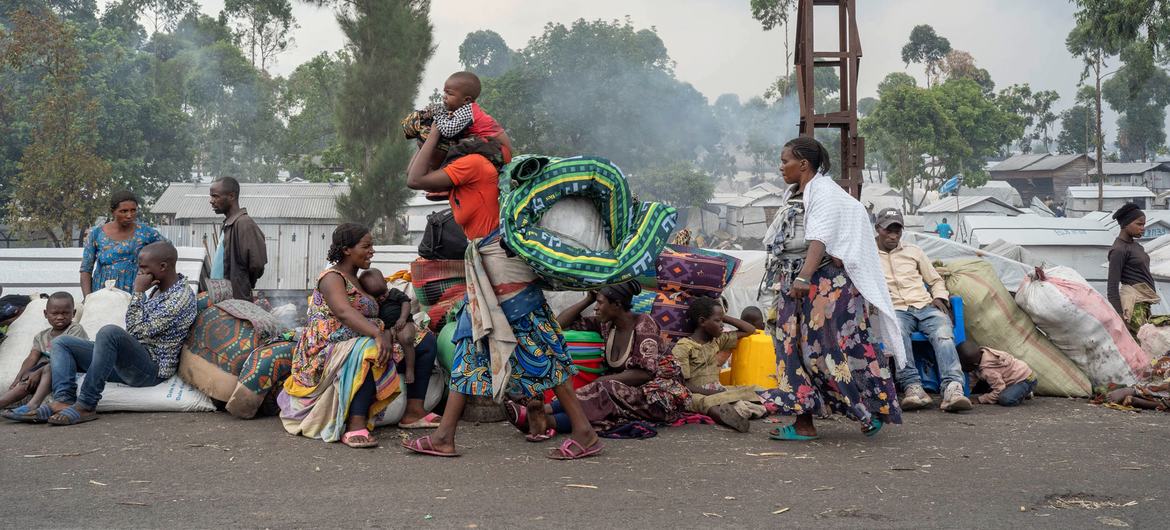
column 1049, row 464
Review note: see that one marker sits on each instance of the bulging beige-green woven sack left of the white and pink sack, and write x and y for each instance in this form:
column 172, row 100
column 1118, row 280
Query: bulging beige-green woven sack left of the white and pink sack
column 995, row 321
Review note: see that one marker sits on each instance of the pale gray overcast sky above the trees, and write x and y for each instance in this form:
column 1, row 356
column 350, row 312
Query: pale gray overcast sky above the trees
column 720, row 49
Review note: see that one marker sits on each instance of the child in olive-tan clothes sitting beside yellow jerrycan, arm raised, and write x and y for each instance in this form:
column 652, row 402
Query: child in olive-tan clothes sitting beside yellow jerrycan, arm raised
column 704, row 354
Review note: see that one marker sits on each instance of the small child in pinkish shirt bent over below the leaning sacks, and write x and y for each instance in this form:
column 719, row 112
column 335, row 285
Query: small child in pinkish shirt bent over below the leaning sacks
column 1011, row 380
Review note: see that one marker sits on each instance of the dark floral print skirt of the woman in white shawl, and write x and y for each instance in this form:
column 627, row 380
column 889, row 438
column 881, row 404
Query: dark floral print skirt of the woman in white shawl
column 828, row 356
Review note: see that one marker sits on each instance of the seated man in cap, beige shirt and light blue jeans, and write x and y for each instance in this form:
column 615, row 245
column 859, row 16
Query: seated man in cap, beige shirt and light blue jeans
column 907, row 272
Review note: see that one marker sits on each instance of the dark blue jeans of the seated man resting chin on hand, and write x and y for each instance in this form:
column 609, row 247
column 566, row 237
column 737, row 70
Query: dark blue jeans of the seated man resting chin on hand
column 114, row 356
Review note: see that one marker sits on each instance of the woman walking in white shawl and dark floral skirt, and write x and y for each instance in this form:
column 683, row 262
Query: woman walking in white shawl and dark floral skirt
column 824, row 269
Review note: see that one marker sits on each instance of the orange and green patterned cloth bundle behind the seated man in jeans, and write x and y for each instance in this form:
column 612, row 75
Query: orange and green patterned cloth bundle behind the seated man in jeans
column 238, row 354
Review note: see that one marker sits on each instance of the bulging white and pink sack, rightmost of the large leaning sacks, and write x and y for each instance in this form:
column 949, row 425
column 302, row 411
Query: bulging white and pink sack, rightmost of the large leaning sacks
column 1084, row 326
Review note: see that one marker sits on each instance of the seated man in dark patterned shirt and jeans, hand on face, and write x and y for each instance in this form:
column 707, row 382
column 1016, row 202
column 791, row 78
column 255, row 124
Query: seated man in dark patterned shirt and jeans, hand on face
column 146, row 354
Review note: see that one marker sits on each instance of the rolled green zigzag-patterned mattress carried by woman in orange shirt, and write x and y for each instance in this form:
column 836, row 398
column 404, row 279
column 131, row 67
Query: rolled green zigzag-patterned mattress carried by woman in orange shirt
column 638, row 231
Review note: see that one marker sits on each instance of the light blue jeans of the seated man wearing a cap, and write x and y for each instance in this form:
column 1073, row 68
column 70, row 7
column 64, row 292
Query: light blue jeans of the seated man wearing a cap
column 938, row 328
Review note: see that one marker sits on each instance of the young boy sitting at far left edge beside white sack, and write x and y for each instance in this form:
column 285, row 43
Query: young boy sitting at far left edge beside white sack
column 35, row 377
